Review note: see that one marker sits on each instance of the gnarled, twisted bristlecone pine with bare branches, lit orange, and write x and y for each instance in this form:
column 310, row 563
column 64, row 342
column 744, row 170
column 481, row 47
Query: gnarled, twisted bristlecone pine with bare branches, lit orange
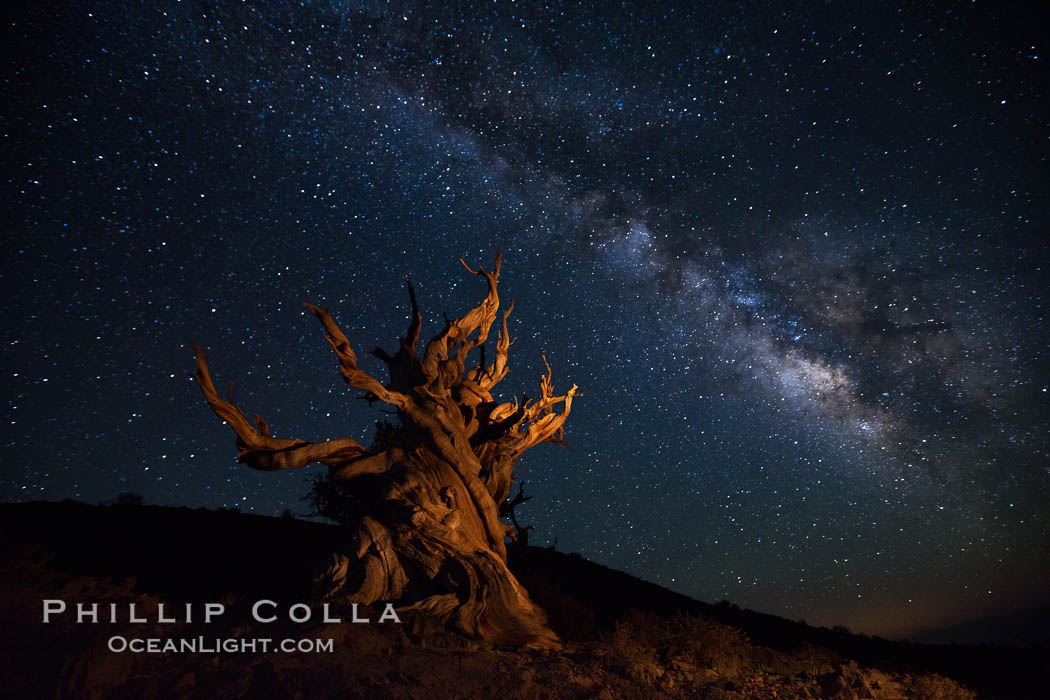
column 430, row 496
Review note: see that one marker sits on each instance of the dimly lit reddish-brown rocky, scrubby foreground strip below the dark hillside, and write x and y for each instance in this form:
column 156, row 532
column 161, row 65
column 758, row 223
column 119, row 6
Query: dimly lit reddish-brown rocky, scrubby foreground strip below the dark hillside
column 687, row 659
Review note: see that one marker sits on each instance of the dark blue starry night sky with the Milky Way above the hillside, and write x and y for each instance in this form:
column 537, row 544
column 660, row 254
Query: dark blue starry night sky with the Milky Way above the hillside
column 796, row 259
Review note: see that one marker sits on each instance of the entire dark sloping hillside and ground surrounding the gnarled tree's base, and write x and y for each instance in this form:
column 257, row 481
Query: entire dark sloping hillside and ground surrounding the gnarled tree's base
column 626, row 640
